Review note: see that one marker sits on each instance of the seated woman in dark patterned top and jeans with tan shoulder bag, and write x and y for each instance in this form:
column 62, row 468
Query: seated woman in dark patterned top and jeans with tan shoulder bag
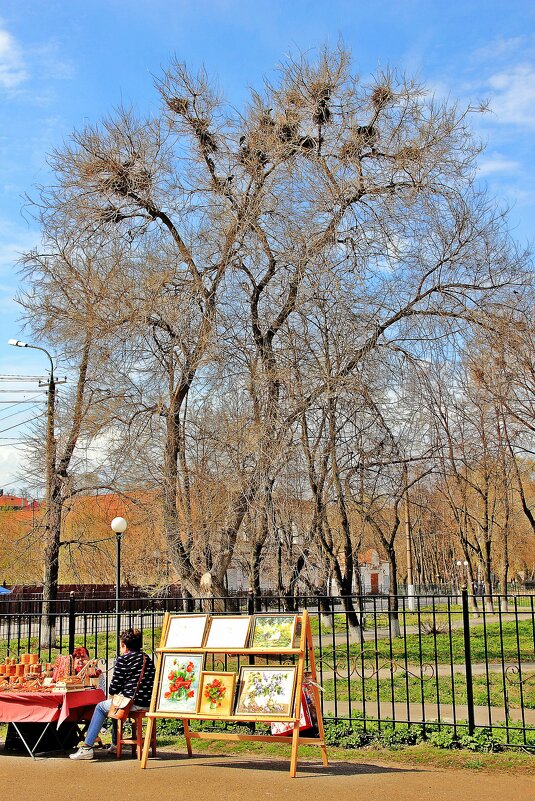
column 128, row 667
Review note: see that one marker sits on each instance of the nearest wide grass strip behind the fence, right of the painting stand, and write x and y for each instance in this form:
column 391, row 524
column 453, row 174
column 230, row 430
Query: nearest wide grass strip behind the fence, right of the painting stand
column 411, row 689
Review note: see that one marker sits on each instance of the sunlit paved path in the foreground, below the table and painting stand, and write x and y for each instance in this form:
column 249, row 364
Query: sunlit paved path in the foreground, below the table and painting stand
column 220, row 778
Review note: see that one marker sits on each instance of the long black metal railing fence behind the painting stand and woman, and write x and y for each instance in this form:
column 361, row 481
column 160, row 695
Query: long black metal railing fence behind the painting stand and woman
column 434, row 662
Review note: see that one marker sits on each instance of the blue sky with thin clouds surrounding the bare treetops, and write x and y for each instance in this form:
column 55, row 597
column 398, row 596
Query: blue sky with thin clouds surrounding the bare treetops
column 64, row 64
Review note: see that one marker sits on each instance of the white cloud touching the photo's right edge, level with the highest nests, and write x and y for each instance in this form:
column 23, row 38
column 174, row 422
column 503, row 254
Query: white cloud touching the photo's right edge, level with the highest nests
column 513, row 95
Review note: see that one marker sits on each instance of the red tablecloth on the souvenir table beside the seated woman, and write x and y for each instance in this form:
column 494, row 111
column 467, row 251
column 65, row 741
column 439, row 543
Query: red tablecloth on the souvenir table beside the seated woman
column 46, row 707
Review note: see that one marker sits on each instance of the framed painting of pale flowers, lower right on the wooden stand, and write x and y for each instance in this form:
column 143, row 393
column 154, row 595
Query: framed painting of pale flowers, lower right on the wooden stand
column 266, row 692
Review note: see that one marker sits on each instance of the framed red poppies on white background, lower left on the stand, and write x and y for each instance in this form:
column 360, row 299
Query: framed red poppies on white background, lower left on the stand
column 180, row 678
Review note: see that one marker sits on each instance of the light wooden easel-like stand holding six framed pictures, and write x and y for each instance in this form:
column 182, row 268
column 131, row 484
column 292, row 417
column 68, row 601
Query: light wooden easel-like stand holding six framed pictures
column 305, row 647
